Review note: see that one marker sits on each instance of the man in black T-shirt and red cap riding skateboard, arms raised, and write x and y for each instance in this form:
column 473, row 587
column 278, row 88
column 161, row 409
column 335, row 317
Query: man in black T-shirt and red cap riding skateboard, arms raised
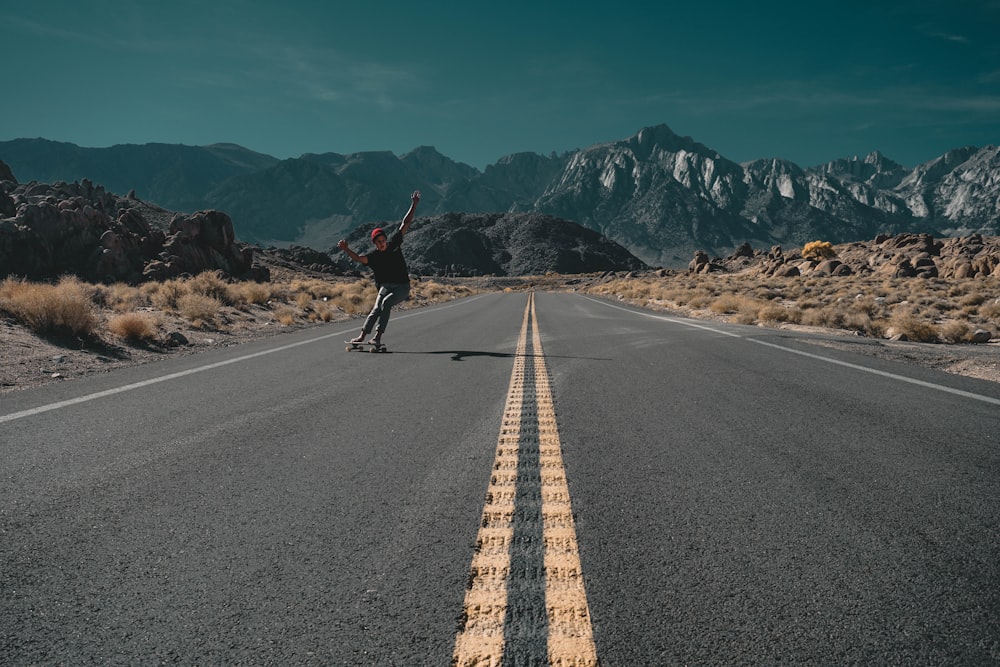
column 392, row 278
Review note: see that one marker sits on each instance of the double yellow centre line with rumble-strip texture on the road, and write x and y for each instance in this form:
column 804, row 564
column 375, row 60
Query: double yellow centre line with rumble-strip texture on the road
column 526, row 602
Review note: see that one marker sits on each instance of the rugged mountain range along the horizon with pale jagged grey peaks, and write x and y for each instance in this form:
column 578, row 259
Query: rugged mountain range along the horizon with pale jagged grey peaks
column 660, row 195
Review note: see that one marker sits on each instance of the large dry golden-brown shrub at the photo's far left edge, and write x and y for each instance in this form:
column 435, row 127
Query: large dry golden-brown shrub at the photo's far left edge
column 64, row 308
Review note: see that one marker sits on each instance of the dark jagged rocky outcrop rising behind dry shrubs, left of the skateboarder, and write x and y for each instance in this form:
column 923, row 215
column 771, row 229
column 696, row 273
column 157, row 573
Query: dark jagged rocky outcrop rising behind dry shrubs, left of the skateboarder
column 81, row 229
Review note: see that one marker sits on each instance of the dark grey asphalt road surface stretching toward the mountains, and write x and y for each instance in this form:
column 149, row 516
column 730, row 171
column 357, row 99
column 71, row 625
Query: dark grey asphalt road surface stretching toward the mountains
column 739, row 497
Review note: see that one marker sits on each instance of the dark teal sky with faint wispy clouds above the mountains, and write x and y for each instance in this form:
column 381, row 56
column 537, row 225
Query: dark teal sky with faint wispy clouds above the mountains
column 807, row 82
